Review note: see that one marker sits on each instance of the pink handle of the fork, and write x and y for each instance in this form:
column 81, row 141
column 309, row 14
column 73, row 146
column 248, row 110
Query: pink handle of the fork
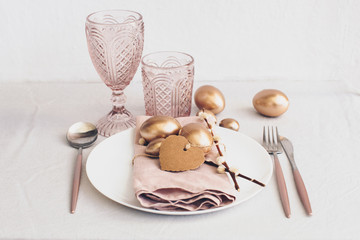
column 282, row 187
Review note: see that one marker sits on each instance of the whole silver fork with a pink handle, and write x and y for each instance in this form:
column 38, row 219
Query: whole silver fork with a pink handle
column 271, row 142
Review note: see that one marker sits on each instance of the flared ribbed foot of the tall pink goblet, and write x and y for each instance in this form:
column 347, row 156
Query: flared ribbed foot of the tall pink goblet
column 114, row 122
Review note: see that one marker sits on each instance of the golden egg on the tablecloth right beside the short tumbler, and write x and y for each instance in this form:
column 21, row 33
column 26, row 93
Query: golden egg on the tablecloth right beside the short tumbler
column 210, row 98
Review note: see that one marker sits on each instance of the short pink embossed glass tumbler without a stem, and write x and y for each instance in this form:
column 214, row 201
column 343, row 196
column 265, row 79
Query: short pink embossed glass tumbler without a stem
column 167, row 83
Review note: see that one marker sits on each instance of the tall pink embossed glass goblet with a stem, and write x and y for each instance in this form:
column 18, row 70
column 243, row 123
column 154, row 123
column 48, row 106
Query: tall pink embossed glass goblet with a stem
column 115, row 41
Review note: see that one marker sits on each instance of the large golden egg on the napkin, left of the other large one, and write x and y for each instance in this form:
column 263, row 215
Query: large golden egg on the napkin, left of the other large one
column 159, row 127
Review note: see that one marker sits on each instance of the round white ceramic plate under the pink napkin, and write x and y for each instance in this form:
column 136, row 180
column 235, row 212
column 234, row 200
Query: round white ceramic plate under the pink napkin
column 110, row 171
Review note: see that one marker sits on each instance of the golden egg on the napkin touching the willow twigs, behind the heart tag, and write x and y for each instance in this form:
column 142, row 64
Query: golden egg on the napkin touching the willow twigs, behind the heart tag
column 198, row 136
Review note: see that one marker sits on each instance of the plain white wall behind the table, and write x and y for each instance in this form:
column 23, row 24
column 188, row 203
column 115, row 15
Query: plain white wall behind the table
column 43, row 40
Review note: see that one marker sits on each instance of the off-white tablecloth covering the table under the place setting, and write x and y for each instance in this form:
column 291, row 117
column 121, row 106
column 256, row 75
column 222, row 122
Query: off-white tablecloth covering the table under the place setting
column 36, row 166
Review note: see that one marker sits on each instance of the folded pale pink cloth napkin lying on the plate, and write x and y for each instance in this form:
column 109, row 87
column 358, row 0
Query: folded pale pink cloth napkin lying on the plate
column 192, row 190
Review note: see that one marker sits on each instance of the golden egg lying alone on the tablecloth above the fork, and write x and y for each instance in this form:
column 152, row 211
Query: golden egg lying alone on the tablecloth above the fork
column 271, row 102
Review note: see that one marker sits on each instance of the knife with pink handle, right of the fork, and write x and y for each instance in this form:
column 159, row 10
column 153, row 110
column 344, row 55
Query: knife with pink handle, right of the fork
column 300, row 186
